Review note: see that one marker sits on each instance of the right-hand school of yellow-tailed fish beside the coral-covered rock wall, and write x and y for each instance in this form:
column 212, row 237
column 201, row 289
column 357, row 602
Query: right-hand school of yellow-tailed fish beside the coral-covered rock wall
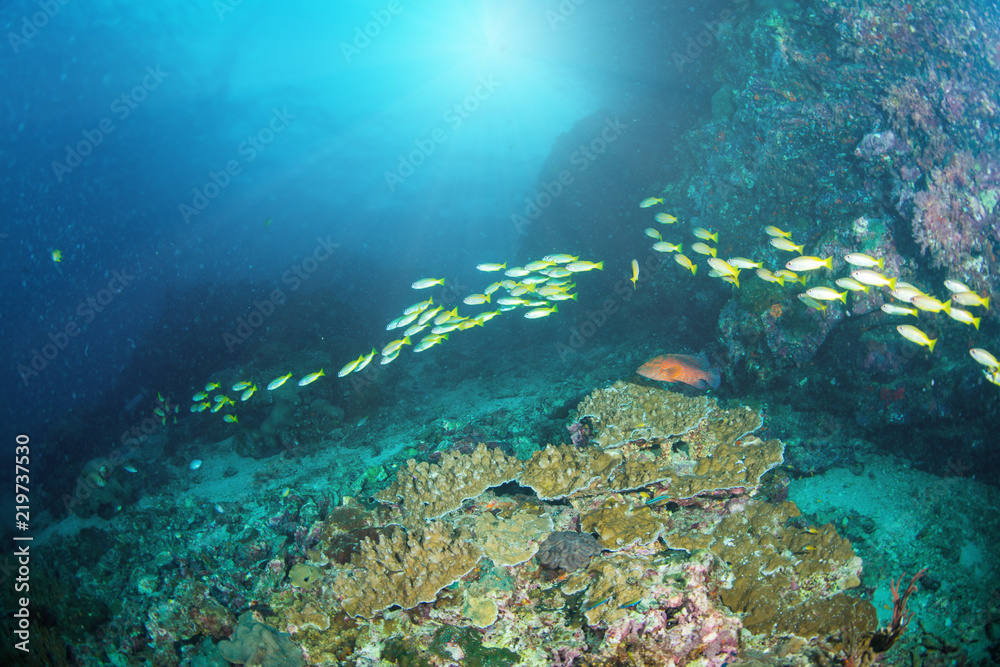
column 866, row 274
